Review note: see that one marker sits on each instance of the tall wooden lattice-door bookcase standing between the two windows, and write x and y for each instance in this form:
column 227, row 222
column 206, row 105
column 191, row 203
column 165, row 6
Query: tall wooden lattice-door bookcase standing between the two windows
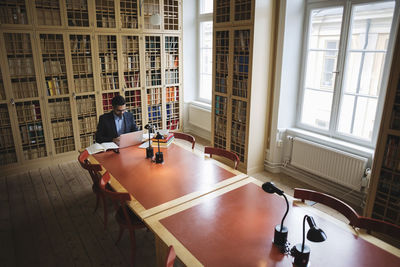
column 238, row 108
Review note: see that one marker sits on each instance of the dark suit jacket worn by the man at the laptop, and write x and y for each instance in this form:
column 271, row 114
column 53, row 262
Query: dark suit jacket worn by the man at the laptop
column 106, row 129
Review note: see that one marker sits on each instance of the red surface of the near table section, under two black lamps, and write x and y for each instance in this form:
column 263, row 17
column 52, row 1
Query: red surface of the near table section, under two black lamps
column 237, row 228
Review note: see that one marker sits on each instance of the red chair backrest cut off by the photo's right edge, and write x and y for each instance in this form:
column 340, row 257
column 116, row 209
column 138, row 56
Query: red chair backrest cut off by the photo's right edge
column 379, row 226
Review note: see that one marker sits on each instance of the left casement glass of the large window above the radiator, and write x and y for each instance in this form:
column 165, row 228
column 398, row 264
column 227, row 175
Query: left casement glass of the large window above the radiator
column 322, row 52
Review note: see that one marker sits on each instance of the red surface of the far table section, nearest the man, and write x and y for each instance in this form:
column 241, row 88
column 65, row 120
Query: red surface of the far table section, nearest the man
column 152, row 184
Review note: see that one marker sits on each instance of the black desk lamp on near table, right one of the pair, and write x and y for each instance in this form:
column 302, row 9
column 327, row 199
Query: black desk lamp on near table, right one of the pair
column 301, row 252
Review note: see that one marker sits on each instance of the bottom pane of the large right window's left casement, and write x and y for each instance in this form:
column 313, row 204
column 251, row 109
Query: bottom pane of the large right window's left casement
column 317, row 108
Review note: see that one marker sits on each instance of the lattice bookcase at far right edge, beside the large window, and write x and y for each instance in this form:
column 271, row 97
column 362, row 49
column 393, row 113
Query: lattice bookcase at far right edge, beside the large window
column 383, row 200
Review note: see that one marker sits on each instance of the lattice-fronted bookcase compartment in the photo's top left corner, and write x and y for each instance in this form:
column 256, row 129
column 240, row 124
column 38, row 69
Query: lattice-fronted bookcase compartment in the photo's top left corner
column 13, row 12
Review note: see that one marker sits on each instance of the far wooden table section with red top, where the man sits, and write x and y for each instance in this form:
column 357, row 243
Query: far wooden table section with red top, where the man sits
column 185, row 175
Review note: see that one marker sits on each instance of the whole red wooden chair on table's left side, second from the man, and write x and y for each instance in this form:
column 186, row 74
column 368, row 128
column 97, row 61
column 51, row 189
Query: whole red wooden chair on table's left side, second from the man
column 124, row 215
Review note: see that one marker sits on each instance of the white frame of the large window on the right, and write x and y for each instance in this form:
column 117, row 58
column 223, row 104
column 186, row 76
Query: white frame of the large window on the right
column 341, row 65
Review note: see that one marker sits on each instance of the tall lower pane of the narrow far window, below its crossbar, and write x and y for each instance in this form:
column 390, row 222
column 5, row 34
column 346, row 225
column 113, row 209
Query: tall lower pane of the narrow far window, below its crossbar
column 206, row 30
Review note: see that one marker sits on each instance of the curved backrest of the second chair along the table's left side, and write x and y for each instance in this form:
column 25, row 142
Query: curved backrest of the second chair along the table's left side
column 119, row 199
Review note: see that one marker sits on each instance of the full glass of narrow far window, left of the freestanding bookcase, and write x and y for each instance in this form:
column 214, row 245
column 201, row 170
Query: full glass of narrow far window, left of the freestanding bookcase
column 205, row 50
